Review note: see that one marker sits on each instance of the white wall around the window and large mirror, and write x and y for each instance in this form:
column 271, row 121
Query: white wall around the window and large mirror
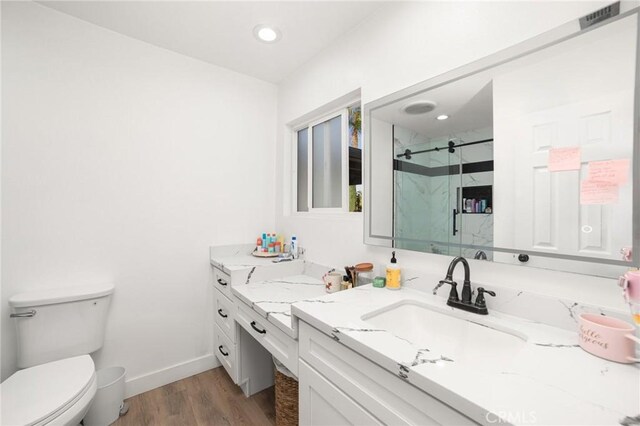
column 402, row 45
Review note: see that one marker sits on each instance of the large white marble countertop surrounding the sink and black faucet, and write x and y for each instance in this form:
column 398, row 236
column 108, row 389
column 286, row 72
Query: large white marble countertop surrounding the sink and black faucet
column 549, row 379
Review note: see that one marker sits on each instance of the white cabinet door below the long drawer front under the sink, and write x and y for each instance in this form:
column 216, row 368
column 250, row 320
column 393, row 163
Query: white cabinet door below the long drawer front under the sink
column 321, row 403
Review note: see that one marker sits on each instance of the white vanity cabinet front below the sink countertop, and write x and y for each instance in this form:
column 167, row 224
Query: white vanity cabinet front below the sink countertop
column 340, row 387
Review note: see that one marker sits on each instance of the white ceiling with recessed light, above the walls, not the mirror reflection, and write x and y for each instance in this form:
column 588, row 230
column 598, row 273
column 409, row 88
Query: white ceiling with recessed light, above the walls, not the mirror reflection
column 221, row 32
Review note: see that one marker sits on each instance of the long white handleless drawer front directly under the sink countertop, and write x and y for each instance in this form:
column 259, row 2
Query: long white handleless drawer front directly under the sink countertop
column 389, row 398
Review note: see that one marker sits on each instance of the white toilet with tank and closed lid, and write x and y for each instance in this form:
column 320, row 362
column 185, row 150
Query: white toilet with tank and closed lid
column 56, row 331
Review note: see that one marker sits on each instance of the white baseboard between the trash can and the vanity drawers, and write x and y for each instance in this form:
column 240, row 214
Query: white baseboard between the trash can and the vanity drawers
column 164, row 376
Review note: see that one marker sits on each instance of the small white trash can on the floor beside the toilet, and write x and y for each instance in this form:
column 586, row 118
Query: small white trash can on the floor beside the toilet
column 109, row 399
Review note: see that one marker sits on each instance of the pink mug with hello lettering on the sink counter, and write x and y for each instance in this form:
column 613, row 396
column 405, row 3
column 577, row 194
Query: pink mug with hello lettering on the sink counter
column 608, row 338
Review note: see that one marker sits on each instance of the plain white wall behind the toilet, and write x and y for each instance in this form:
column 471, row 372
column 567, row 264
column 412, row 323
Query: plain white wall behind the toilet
column 123, row 162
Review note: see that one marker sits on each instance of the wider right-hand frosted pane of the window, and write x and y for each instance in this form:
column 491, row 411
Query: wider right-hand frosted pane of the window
column 327, row 164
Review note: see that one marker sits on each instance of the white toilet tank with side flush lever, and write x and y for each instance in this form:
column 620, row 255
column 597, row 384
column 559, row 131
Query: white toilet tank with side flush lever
column 59, row 323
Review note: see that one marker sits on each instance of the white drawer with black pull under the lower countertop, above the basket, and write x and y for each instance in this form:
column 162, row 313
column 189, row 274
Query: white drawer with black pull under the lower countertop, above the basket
column 281, row 346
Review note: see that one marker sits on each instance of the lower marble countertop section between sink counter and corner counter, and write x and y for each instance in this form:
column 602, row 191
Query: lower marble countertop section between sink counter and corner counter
column 273, row 298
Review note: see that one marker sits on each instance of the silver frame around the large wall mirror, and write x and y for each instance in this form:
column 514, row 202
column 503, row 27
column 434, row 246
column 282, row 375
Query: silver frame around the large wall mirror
column 550, row 38
